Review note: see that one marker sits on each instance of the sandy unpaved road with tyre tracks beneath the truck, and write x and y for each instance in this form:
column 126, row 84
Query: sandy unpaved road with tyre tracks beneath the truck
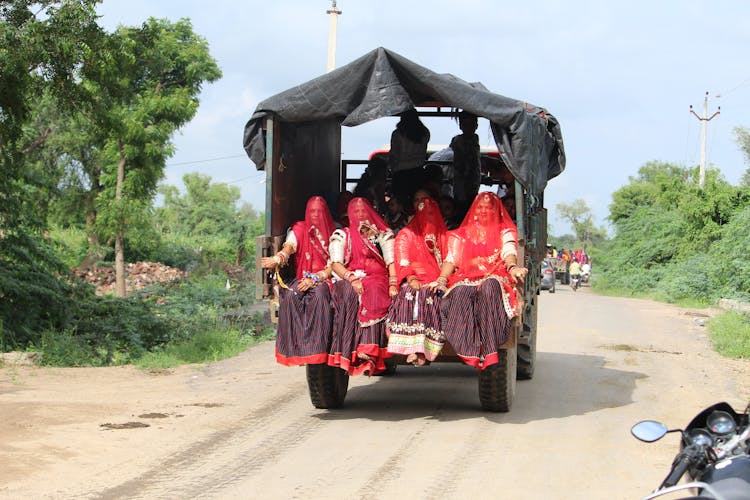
column 245, row 428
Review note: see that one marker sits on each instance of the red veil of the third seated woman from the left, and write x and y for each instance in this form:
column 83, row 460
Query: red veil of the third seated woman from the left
column 420, row 246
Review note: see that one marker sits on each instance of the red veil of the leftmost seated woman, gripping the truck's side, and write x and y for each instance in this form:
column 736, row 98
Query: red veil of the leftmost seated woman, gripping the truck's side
column 312, row 236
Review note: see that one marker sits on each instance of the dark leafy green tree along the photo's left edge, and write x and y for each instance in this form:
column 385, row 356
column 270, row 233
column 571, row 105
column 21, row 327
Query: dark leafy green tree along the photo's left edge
column 42, row 46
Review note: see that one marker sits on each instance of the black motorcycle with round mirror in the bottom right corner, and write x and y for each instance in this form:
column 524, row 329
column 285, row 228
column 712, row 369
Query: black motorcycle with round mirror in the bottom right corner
column 714, row 452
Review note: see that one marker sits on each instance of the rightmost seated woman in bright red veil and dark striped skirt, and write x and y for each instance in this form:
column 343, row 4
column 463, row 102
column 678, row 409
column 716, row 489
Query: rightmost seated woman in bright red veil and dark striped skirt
column 477, row 279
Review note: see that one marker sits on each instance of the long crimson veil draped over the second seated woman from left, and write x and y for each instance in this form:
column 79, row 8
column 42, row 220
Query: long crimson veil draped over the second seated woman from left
column 365, row 256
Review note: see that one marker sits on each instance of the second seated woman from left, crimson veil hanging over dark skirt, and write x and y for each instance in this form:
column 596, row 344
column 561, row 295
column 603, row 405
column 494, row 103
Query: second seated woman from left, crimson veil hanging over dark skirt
column 362, row 255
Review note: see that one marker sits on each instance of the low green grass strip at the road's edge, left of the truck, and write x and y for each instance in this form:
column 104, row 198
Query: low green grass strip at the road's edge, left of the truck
column 212, row 345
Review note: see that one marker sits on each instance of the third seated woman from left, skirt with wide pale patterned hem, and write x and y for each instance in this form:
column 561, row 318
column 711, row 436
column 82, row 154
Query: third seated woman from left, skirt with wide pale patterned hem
column 414, row 318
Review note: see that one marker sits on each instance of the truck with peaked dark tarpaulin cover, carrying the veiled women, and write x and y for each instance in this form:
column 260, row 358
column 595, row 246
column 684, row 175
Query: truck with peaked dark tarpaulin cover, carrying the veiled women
column 296, row 138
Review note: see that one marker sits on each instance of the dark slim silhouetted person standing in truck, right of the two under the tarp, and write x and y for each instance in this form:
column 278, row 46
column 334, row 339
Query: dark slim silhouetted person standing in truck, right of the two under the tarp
column 467, row 162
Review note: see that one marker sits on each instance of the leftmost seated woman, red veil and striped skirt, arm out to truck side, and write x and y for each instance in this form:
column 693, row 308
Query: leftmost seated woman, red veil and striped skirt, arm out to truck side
column 305, row 315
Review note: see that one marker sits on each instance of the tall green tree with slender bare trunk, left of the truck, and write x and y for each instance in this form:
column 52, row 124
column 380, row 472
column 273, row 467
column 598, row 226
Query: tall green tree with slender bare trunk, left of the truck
column 144, row 86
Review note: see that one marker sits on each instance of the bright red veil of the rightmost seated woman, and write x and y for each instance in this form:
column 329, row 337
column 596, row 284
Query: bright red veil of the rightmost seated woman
column 477, row 243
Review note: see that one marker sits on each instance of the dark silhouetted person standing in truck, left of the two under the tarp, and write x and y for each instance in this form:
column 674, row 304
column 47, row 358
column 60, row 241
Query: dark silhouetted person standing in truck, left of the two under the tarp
column 407, row 155
